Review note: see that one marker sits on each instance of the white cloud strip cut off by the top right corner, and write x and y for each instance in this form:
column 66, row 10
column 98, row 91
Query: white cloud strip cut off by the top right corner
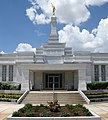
column 95, row 2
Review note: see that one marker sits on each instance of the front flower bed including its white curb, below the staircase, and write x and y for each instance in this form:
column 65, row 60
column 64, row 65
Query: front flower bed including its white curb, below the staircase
column 53, row 112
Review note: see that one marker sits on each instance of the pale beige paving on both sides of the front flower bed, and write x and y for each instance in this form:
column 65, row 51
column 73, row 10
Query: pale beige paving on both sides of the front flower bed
column 7, row 108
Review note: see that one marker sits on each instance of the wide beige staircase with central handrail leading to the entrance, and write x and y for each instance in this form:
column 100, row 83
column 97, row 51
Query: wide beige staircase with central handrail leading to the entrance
column 63, row 97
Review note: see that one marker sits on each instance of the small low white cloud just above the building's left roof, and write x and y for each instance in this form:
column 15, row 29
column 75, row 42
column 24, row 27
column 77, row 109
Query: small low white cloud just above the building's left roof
column 22, row 47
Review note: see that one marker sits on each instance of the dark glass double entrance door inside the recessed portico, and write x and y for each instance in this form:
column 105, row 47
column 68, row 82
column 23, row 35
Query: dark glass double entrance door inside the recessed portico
column 55, row 79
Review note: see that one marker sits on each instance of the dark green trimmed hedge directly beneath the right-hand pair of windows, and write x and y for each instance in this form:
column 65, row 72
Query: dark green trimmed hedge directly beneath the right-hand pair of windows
column 97, row 85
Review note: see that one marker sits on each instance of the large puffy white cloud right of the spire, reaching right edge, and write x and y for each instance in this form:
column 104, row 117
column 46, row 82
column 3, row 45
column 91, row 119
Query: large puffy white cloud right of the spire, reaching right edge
column 95, row 41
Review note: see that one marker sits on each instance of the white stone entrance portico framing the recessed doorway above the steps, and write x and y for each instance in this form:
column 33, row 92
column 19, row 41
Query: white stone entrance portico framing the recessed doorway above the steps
column 64, row 76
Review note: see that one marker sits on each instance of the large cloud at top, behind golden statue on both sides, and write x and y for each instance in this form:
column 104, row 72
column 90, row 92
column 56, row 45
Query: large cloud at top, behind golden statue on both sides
column 76, row 13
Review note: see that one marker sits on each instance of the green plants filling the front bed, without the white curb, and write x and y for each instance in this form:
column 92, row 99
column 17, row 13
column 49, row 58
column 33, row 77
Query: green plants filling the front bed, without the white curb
column 41, row 111
